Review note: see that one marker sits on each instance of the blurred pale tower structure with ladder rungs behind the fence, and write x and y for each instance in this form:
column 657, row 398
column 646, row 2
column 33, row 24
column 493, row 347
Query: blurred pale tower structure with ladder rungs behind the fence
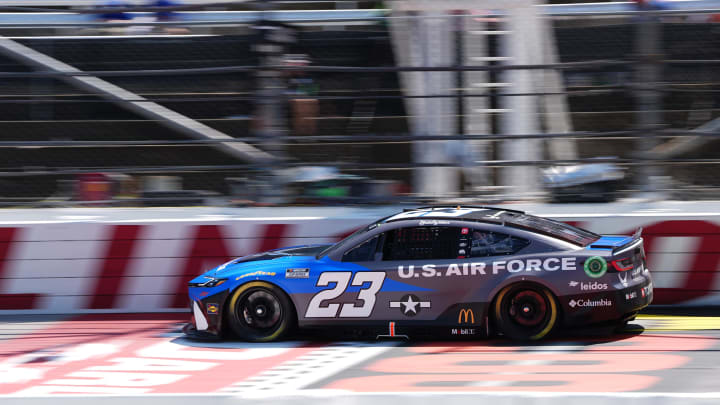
column 423, row 36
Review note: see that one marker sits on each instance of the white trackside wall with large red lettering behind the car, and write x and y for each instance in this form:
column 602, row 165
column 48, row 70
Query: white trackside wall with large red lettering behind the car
column 105, row 260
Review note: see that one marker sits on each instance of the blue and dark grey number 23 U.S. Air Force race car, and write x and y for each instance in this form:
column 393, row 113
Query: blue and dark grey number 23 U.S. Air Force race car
column 457, row 271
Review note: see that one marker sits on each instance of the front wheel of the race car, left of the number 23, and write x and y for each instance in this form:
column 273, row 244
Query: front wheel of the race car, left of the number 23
column 260, row 312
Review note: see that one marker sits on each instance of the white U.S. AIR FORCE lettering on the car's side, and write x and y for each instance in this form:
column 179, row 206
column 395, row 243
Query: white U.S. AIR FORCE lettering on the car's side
column 482, row 268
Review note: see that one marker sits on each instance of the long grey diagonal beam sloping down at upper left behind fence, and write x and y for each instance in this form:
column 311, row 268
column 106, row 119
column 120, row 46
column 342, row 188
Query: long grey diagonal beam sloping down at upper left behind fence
column 132, row 101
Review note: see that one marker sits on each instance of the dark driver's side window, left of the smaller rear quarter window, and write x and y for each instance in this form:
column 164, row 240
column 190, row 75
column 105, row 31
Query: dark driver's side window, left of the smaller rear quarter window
column 422, row 242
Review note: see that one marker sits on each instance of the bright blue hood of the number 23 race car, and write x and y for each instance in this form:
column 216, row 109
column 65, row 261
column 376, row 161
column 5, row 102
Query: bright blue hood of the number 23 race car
column 272, row 257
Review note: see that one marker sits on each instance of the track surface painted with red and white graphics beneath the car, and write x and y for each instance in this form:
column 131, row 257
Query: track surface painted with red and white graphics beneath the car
column 661, row 358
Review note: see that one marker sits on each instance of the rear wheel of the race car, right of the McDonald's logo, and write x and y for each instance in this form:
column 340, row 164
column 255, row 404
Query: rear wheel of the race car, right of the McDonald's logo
column 526, row 312
